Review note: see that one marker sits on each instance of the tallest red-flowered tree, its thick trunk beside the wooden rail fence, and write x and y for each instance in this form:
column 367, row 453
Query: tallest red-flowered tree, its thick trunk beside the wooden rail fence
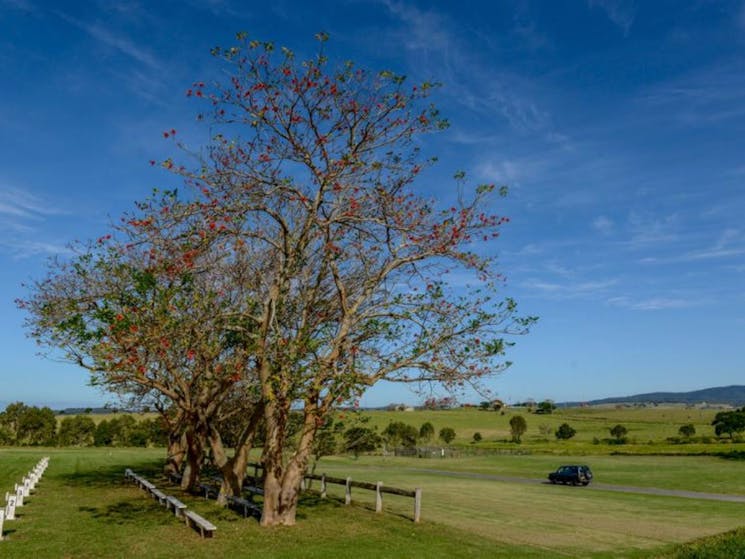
column 307, row 185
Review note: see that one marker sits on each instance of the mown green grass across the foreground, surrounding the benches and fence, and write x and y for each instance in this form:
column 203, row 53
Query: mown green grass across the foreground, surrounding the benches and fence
column 83, row 509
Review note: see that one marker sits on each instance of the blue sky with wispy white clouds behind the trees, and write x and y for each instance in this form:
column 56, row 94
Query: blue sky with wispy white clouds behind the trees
column 618, row 125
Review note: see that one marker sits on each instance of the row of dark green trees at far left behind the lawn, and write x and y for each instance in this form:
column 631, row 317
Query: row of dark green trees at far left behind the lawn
column 22, row 425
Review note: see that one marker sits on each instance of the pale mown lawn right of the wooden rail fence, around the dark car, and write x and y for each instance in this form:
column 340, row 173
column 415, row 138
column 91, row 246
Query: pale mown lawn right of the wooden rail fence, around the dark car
column 570, row 521
